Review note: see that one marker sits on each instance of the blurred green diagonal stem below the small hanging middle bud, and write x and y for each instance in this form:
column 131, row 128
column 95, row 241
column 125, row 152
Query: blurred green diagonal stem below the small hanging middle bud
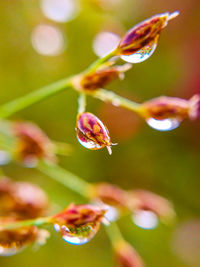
column 66, row 178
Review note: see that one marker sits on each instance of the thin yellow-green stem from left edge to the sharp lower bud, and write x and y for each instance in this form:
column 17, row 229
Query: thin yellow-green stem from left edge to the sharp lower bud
column 25, row 223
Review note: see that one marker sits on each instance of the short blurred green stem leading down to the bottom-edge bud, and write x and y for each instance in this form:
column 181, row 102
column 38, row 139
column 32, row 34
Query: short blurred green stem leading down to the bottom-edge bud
column 114, row 234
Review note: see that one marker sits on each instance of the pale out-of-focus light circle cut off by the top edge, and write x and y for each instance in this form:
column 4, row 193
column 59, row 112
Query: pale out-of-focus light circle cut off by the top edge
column 60, row 10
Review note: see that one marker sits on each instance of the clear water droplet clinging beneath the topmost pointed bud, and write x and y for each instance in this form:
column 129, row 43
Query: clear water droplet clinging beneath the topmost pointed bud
column 141, row 55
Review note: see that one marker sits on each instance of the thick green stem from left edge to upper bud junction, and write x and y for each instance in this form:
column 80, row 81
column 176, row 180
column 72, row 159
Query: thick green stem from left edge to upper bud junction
column 34, row 97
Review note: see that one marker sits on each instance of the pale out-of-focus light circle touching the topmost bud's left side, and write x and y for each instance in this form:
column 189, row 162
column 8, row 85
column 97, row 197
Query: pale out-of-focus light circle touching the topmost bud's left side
column 105, row 42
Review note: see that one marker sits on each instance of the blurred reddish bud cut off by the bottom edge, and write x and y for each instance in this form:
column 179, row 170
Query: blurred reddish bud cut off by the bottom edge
column 127, row 256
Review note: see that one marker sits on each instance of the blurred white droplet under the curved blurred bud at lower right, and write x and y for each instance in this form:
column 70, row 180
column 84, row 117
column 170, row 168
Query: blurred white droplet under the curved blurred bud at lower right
column 145, row 219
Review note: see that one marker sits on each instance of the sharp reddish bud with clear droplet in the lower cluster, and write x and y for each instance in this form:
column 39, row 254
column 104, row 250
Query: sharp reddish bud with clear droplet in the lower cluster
column 78, row 224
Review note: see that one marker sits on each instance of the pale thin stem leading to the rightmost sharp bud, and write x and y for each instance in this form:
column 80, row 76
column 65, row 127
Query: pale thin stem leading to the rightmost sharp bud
column 116, row 100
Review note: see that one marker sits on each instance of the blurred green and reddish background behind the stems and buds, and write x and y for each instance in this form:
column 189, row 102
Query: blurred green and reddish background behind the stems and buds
column 165, row 163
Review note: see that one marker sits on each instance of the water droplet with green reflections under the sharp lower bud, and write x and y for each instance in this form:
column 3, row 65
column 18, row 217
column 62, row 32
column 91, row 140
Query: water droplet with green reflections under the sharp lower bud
column 79, row 235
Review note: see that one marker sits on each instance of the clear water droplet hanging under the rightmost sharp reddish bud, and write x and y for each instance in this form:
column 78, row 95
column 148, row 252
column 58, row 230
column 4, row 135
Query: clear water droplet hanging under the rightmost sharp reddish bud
column 163, row 125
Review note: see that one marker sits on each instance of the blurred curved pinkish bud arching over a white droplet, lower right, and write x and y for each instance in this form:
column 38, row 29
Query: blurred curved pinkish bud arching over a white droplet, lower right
column 147, row 201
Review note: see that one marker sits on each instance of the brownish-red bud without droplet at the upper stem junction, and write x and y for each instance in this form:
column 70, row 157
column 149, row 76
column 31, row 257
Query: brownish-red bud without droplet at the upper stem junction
column 100, row 77
